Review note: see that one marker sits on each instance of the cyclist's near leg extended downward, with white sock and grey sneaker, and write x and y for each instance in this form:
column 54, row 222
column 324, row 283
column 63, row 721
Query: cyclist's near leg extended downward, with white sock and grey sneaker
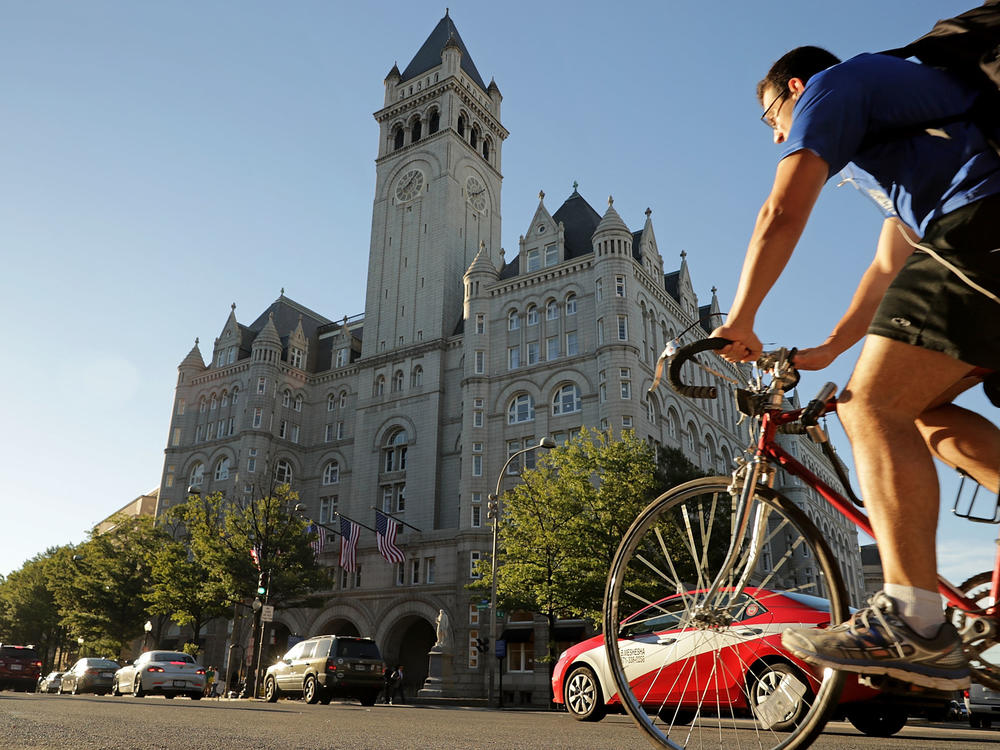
column 892, row 385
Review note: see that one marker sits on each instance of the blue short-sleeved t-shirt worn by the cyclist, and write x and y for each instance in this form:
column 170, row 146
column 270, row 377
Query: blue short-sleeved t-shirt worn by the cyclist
column 925, row 176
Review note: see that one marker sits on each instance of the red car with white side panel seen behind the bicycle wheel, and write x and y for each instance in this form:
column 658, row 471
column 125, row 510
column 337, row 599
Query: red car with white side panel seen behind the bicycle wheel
column 682, row 672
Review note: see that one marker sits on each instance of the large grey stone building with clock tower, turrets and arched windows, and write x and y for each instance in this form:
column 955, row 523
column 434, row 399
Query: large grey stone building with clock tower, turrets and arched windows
column 464, row 355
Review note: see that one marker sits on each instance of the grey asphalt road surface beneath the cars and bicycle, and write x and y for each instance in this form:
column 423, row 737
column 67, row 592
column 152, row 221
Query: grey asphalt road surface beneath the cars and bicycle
column 37, row 722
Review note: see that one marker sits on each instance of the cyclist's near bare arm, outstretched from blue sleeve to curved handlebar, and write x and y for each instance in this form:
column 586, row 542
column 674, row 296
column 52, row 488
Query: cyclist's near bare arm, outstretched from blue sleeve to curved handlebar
column 797, row 184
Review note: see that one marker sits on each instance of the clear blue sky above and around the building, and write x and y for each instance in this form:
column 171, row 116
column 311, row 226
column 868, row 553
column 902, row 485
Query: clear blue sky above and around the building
column 160, row 161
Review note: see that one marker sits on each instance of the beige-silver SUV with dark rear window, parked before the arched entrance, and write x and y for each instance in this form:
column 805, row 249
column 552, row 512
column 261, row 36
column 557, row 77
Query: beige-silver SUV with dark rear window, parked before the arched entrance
column 327, row 666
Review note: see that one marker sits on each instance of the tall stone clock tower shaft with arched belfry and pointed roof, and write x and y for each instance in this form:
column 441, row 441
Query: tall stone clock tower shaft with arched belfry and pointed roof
column 437, row 193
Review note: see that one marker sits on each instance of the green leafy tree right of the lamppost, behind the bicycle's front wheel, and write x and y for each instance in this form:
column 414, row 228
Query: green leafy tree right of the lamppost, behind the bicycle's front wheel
column 560, row 527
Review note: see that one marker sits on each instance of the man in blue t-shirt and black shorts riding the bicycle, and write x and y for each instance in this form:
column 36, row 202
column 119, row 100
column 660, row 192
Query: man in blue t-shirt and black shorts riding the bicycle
column 932, row 319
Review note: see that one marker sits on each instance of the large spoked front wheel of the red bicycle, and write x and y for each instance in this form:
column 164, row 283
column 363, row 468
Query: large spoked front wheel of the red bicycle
column 696, row 672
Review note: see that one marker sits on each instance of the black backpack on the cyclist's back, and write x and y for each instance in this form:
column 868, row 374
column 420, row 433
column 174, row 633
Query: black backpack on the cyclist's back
column 967, row 46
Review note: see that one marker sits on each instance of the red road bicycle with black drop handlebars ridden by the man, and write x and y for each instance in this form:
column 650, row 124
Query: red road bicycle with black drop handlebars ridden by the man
column 681, row 579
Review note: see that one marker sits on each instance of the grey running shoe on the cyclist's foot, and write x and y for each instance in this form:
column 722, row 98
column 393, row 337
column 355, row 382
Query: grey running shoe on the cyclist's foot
column 876, row 640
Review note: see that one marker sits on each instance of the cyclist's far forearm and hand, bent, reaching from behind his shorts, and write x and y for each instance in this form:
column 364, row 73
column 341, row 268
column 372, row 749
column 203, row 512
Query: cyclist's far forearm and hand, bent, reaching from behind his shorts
column 890, row 254
